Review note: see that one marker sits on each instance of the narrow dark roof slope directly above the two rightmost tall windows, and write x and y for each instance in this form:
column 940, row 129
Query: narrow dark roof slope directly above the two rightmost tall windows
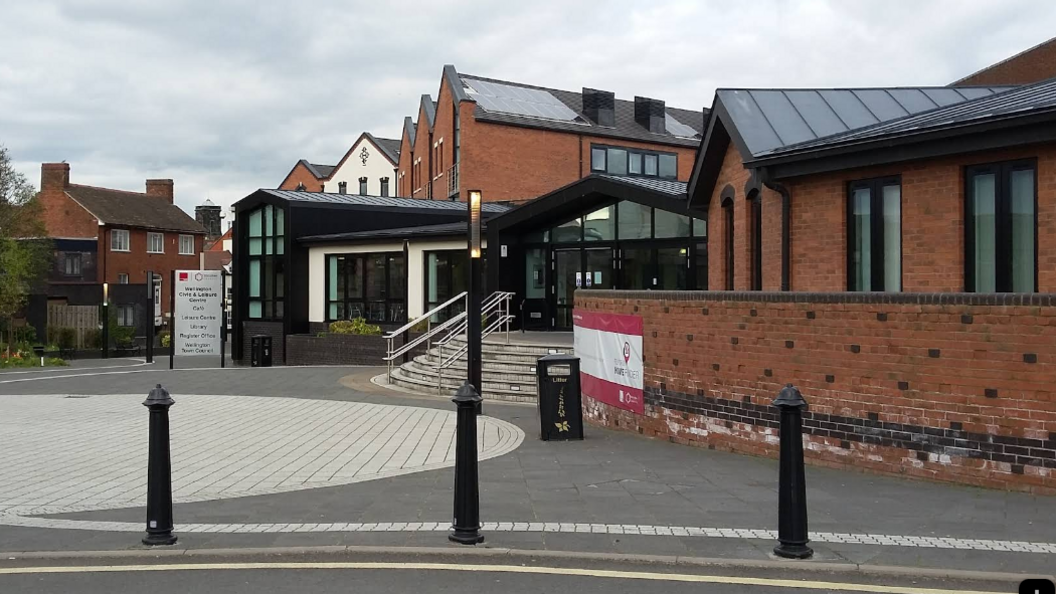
column 1017, row 101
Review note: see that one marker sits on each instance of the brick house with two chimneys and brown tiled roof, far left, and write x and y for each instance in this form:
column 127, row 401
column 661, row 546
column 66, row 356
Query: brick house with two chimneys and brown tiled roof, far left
column 112, row 236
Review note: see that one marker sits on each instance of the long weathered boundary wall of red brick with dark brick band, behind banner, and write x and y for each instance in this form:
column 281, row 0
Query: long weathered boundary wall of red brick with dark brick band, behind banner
column 955, row 388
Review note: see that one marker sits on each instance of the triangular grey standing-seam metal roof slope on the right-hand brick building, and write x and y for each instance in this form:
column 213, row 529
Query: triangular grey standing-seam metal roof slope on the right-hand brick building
column 770, row 120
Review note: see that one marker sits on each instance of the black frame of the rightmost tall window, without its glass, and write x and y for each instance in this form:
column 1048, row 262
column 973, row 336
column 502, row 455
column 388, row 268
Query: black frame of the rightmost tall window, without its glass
column 1003, row 257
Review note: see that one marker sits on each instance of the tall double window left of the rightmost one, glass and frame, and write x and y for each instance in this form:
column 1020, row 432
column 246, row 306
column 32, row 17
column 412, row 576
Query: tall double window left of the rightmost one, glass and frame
column 875, row 235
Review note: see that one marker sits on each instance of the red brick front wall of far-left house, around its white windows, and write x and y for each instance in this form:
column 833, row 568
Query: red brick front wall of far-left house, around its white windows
column 137, row 262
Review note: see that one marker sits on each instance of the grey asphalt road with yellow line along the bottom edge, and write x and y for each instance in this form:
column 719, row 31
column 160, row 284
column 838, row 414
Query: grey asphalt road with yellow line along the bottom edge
column 324, row 574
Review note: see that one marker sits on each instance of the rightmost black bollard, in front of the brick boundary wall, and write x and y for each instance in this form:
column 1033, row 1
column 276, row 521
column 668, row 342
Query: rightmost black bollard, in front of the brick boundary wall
column 793, row 488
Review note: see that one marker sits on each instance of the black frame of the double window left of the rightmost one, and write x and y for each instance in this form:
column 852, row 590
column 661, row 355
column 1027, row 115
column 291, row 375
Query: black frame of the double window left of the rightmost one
column 877, row 270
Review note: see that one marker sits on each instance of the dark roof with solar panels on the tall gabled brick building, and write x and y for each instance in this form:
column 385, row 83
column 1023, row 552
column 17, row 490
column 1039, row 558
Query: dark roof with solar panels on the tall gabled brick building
column 554, row 109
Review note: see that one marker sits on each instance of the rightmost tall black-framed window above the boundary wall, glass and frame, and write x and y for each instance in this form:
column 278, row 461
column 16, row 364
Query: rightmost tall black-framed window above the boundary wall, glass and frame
column 1002, row 228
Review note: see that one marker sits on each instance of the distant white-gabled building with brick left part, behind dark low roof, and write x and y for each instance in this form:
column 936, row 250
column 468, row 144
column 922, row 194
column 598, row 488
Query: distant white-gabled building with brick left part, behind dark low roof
column 369, row 169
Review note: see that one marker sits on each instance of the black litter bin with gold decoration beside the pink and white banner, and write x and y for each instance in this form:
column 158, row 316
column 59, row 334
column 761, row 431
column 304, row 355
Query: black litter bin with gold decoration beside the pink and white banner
column 560, row 400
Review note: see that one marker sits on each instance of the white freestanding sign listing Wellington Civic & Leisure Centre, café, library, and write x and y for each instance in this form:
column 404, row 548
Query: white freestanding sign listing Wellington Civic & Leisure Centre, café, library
column 198, row 324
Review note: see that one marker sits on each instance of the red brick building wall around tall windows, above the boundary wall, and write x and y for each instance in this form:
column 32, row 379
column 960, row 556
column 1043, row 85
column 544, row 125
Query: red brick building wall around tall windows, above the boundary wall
column 933, row 224
